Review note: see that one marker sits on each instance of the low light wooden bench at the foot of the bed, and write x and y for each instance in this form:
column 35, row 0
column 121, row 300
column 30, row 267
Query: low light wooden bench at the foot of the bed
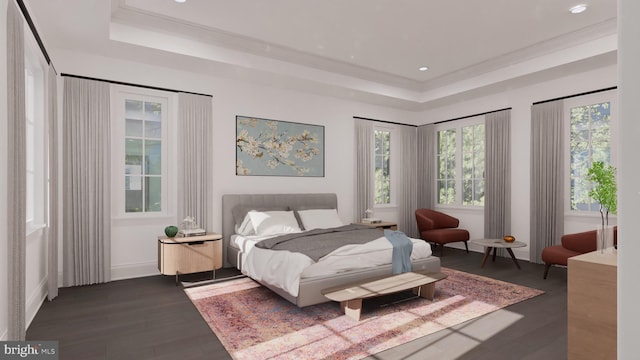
column 350, row 296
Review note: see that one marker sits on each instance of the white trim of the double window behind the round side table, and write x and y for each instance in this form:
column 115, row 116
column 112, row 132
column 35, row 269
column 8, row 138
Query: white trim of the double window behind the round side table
column 457, row 125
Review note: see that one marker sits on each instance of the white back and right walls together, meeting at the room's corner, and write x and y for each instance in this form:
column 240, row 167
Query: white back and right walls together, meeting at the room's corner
column 134, row 241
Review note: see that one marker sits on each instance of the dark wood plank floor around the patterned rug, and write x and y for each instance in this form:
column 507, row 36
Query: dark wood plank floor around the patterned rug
column 151, row 318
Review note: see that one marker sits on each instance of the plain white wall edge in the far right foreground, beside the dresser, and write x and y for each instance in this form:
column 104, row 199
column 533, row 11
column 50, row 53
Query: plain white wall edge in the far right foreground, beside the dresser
column 629, row 173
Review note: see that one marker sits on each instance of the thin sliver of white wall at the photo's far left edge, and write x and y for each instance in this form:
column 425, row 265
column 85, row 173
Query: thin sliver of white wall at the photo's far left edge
column 3, row 171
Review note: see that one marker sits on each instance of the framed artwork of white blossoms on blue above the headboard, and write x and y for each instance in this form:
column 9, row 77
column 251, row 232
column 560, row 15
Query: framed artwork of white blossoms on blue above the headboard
column 267, row 147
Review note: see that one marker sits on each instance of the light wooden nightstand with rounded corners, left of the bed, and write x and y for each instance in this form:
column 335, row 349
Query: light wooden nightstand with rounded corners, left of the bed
column 185, row 255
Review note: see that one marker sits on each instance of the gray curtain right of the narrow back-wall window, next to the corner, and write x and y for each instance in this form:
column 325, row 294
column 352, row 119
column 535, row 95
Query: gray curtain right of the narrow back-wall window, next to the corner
column 407, row 193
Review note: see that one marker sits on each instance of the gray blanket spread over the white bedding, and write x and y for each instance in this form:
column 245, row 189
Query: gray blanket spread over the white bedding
column 320, row 242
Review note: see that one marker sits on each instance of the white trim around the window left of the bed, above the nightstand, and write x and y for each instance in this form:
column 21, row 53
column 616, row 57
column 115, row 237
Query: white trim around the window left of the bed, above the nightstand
column 169, row 139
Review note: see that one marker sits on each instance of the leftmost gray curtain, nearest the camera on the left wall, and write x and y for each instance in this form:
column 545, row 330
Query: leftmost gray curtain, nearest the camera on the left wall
column 16, row 183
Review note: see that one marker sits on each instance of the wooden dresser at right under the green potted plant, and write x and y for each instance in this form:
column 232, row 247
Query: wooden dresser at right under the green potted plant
column 592, row 306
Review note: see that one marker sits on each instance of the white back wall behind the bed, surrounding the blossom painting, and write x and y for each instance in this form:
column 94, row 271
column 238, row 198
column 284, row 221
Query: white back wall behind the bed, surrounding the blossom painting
column 134, row 241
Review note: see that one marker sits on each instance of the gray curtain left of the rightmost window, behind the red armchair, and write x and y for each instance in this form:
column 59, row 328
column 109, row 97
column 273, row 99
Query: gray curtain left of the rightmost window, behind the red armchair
column 547, row 169
